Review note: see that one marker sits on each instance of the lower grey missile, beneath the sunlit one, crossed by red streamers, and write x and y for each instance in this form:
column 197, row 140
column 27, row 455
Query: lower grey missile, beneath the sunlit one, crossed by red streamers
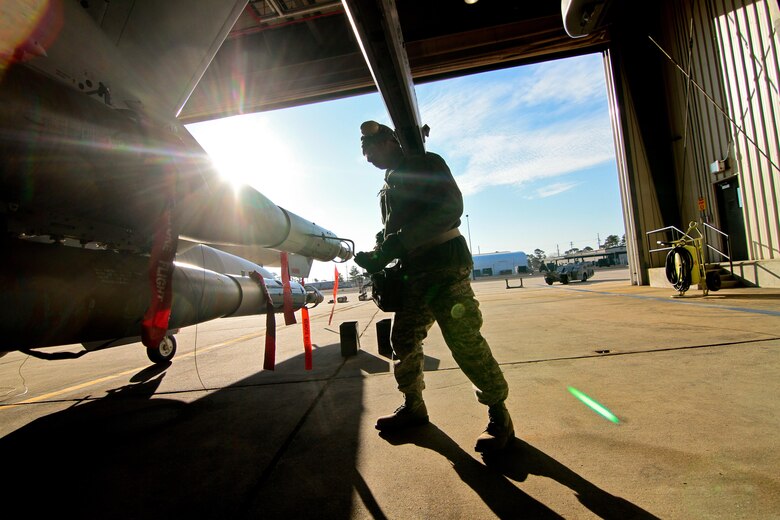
column 88, row 295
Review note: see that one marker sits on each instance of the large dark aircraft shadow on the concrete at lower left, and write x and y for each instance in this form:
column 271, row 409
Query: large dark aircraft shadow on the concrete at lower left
column 134, row 454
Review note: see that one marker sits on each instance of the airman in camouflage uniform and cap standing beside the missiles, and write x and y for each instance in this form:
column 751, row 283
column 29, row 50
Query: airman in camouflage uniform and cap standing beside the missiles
column 421, row 207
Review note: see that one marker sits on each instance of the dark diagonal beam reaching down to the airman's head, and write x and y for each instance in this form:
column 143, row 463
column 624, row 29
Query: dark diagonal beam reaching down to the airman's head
column 378, row 31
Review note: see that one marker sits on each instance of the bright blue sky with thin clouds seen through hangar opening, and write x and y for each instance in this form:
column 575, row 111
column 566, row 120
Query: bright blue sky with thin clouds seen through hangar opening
column 531, row 148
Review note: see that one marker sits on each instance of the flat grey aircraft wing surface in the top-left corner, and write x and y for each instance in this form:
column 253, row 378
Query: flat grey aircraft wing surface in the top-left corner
column 147, row 54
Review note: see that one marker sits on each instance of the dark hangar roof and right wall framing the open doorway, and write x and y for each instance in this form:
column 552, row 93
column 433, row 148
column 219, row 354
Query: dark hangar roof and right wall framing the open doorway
column 693, row 89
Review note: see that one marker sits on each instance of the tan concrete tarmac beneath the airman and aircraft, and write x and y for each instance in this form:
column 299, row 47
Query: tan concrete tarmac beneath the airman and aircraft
column 692, row 383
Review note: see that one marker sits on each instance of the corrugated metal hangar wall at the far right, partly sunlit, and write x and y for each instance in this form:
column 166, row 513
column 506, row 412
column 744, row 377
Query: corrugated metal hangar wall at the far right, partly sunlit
column 722, row 76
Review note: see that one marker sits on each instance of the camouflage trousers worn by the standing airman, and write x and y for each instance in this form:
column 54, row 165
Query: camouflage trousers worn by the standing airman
column 446, row 297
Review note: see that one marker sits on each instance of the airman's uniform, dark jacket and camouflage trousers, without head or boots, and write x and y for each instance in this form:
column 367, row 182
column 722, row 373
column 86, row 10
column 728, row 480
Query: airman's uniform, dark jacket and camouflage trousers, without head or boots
column 420, row 202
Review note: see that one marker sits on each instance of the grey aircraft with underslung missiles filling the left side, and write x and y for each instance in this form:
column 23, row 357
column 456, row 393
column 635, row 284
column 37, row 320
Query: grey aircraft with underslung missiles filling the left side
column 92, row 156
